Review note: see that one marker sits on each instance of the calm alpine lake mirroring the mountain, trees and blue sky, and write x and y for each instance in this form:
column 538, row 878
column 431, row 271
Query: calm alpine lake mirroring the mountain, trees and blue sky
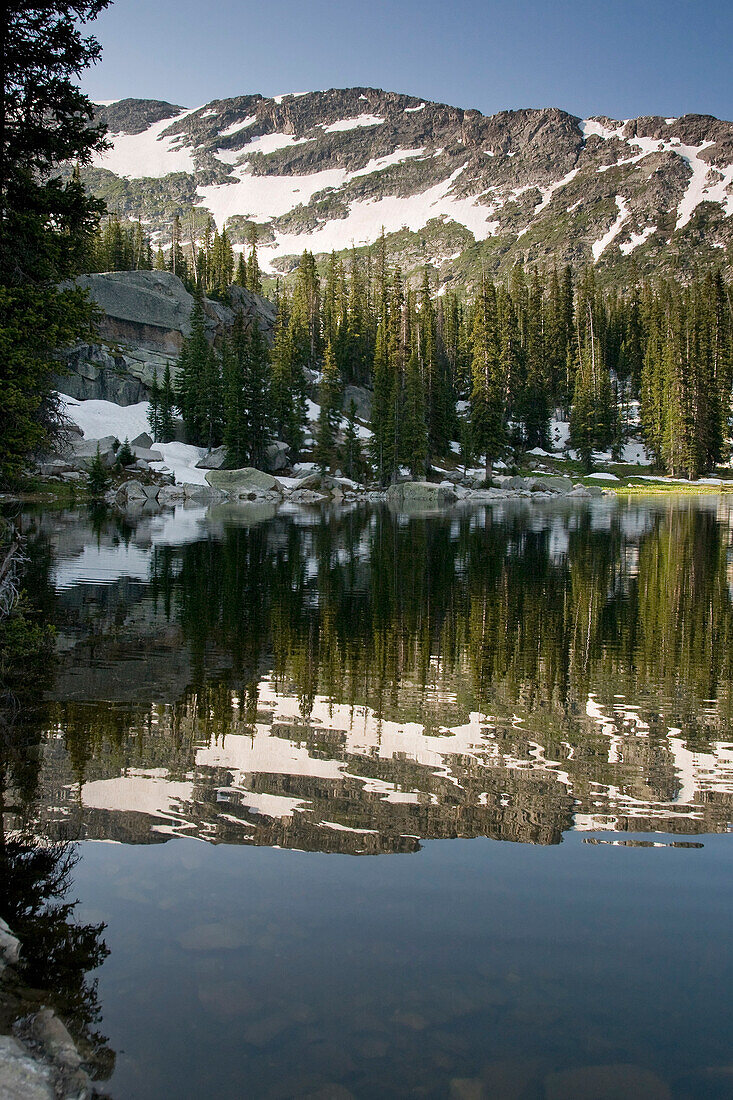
column 375, row 805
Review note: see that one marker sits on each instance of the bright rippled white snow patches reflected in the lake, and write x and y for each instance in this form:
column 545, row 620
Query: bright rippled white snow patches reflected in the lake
column 247, row 762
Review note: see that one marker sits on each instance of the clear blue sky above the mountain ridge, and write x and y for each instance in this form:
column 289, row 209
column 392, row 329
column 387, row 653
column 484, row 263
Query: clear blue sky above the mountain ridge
column 616, row 58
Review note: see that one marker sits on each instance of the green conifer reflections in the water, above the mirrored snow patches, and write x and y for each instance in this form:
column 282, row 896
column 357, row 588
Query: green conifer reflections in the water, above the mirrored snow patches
column 357, row 607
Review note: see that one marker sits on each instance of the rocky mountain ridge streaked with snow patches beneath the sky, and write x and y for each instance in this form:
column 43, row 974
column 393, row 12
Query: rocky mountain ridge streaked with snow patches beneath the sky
column 455, row 189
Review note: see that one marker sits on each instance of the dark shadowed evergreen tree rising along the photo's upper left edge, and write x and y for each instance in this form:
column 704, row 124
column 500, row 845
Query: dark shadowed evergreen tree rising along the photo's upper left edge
column 47, row 225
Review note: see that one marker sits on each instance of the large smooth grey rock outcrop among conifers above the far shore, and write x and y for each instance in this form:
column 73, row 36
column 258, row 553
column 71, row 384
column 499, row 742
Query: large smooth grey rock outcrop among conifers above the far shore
column 143, row 321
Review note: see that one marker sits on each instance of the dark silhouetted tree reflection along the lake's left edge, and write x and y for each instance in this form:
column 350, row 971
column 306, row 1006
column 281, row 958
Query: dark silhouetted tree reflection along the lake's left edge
column 58, row 951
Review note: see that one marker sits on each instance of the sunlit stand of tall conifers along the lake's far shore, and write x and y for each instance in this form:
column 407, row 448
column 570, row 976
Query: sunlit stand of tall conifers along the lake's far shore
column 489, row 373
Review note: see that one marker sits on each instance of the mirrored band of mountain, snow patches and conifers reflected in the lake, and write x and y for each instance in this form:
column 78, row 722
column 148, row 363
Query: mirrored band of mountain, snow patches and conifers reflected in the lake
column 362, row 683
